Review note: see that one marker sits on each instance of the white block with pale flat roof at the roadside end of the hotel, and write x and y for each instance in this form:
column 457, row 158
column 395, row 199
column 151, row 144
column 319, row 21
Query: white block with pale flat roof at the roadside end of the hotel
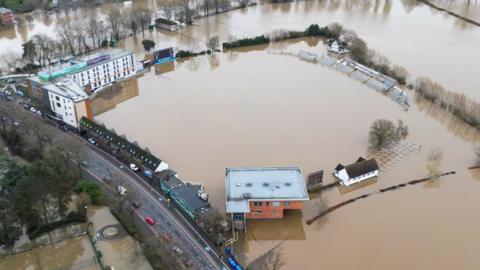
column 68, row 101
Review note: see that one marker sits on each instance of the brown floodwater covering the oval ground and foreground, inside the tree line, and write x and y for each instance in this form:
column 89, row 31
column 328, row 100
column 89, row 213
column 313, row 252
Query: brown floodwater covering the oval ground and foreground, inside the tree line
column 254, row 108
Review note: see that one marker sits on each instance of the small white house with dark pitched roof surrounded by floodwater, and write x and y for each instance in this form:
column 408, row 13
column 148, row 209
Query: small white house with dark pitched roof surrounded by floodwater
column 359, row 171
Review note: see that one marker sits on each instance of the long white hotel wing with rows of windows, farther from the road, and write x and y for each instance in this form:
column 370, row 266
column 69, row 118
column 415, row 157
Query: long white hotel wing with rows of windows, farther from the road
column 104, row 68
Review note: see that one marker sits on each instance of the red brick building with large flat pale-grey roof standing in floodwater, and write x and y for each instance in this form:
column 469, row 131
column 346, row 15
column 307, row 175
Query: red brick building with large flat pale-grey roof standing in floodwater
column 263, row 193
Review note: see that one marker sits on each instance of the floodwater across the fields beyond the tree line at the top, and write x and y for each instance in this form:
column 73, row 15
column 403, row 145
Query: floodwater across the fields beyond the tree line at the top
column 423, row 40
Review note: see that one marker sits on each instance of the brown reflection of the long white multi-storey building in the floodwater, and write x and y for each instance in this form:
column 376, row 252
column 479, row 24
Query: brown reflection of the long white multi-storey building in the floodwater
column 108, row 98
